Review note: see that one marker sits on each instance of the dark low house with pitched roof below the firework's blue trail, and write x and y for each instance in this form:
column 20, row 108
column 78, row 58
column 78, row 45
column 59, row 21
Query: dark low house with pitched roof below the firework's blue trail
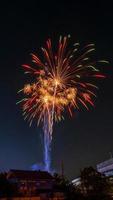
column 31, row 182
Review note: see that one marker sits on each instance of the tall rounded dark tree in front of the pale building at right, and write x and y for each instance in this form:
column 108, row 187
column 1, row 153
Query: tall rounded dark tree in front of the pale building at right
column 94, row 184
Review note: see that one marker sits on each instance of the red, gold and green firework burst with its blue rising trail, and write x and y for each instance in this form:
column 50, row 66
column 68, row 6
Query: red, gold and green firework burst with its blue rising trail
column 60, row 83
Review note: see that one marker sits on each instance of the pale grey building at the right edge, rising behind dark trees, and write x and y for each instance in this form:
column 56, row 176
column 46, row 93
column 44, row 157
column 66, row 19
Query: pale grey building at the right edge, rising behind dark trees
column 106, row 167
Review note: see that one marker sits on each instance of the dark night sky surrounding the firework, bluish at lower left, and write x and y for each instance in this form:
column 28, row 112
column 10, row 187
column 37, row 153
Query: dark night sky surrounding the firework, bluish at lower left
column 87, row 138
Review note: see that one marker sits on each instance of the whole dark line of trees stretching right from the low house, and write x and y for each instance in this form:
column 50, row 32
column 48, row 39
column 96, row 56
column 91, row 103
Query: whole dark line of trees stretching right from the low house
column 93, row 186
